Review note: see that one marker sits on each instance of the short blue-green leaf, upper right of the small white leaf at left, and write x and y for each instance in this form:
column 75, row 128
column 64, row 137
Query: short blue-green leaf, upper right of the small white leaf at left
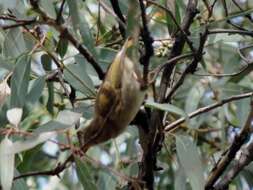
column 36, row 90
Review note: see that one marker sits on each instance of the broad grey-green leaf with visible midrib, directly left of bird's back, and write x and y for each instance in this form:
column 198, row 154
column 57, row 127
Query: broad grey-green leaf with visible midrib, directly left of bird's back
column 76, row 76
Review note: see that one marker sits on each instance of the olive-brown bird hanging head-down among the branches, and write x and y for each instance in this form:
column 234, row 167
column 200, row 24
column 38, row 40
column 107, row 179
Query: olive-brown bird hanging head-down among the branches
column 118, row 100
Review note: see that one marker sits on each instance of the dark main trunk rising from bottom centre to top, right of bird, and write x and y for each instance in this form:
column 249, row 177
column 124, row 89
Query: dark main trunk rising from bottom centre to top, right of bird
column 151, row 142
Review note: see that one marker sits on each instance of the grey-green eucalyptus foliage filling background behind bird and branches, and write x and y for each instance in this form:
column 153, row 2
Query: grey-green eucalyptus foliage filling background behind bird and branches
column 51, row 80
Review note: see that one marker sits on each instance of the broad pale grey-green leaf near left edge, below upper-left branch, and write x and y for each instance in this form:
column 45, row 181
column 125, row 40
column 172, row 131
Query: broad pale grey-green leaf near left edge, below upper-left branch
column 14, row 43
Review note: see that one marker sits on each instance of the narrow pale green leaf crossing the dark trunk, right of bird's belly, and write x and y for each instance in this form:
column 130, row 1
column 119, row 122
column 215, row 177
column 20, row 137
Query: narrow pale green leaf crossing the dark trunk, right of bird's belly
column 165, row 107
